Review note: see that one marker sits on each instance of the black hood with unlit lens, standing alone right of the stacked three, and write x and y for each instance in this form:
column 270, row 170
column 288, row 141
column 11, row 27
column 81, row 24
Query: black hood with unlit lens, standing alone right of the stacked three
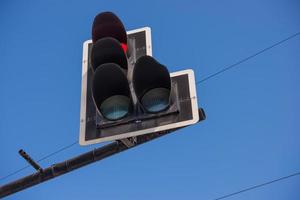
column 152, row 84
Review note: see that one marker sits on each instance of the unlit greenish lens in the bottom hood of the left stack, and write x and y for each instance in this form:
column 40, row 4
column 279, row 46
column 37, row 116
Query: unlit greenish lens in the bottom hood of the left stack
column 115, row 107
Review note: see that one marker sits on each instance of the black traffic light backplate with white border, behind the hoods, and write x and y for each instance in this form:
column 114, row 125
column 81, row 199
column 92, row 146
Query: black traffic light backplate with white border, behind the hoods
column 183, row 112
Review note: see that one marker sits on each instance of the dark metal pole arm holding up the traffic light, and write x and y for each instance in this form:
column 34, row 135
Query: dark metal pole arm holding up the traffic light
column 78, row 161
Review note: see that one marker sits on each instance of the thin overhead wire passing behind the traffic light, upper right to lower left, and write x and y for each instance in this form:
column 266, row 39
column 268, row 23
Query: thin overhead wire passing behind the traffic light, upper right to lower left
column 202, row 80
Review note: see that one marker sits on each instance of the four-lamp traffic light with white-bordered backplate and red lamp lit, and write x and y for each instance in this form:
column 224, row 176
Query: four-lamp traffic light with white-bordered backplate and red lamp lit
column 125, row 91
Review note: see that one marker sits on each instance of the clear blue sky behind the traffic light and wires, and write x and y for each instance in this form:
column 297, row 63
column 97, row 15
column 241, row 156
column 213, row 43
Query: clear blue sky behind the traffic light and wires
column 251, row 134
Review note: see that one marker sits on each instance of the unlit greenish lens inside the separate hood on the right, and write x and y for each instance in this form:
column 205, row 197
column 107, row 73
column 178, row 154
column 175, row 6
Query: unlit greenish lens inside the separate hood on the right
column 156, row 100
